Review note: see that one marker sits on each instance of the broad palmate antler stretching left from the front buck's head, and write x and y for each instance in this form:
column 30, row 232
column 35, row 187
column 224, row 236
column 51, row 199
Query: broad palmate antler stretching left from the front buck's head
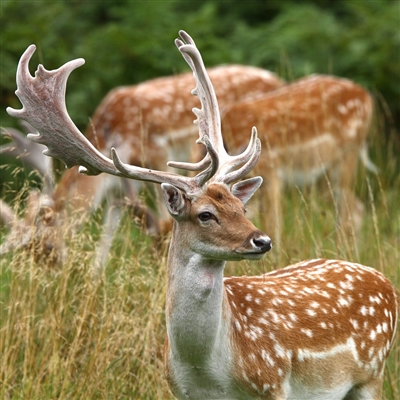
column 43, row 101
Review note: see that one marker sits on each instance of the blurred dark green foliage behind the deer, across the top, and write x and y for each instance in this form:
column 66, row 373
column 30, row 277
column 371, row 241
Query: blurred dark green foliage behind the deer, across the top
column 125, row 42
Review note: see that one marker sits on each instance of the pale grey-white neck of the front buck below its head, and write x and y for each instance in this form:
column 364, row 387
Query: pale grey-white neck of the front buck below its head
column 196, row 305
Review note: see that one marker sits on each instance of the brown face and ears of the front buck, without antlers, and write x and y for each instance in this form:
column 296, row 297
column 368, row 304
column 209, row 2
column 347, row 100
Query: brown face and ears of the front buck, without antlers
column 213, row 223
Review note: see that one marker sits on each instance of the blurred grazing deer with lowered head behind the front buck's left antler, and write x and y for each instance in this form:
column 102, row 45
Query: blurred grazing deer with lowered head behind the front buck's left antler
column 153, row 122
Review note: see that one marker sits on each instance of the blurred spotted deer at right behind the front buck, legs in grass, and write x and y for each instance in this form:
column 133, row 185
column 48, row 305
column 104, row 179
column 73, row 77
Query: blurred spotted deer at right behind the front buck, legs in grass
column 314, row 127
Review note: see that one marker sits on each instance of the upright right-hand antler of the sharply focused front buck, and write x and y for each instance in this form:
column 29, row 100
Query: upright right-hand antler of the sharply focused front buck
column 209, row 122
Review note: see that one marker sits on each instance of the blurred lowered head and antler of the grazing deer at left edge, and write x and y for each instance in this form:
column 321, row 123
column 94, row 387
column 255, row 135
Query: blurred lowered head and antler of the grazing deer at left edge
column 38, row 230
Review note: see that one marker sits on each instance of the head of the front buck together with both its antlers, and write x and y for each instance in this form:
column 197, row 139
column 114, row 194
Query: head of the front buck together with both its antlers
column 207, row 207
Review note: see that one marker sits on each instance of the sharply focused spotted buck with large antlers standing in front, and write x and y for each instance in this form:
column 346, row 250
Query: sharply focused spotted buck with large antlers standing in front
column 319, row 329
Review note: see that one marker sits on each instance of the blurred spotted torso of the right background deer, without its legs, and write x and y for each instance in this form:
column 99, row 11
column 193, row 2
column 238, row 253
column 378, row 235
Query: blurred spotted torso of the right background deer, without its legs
column 324, row 114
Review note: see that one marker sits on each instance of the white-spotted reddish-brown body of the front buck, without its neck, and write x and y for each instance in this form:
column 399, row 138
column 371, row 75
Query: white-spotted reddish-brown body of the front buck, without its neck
column 320, row 323
